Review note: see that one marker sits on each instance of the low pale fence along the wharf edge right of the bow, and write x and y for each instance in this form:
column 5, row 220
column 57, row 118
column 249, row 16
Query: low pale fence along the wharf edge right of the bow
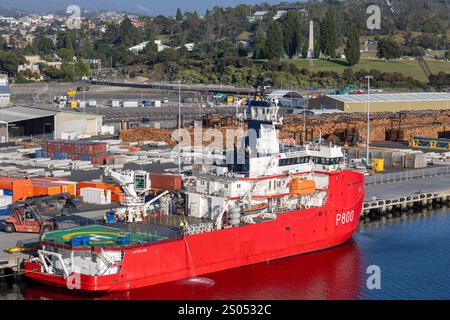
column 407, row 175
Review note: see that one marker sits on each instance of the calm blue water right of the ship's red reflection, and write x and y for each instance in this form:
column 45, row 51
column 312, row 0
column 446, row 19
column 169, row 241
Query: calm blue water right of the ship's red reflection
column 413, row 255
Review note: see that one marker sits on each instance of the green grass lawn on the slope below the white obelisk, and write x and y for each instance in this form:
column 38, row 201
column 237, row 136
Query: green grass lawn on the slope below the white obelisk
column 407, row 67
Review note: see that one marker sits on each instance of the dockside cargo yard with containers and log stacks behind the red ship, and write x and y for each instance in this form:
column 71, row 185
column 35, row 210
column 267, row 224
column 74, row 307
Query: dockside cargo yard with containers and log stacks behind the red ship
column 408, row 174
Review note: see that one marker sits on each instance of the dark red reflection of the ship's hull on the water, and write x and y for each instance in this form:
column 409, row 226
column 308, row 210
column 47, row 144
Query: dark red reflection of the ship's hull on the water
column 329, row 274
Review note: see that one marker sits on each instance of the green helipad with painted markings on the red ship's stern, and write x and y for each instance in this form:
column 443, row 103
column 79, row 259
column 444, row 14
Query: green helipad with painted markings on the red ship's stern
column 99, row 236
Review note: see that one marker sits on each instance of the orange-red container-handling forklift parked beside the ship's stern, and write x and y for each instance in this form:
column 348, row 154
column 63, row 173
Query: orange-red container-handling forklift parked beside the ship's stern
column 27, row 218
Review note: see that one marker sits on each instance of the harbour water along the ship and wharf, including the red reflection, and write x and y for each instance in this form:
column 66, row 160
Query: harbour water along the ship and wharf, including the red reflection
column 412, row 253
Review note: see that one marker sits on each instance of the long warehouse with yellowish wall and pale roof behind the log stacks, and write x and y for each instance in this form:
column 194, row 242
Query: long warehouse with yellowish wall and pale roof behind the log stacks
column 384, row 102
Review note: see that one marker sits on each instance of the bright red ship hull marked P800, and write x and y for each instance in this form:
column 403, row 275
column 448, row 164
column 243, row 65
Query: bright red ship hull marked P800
column 292, row 233
